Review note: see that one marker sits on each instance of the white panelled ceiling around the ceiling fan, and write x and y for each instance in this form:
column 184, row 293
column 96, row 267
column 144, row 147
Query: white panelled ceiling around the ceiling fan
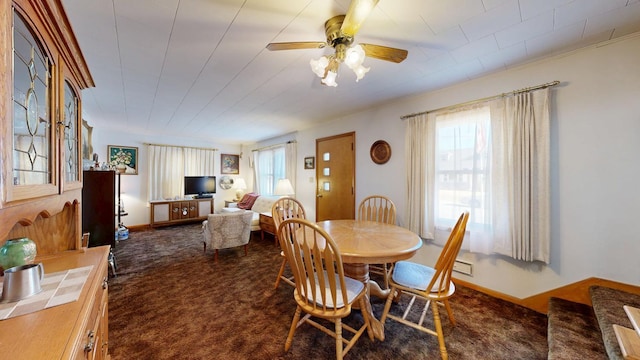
column 199, row 68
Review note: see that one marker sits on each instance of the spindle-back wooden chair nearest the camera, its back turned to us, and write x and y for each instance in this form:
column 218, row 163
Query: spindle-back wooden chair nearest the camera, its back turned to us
column 321, row 289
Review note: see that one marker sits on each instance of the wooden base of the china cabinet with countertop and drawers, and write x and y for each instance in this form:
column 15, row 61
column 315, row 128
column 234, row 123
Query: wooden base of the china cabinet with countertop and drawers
column 75, row 330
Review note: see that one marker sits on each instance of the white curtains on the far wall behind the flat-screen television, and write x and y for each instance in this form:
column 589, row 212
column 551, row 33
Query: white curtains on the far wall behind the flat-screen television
column 169, row 164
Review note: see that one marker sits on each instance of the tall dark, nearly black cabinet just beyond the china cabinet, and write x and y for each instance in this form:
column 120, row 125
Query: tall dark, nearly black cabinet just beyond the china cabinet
column 99, row 207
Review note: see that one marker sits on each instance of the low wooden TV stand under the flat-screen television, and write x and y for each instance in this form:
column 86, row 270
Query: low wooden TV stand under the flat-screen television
column 171, row 212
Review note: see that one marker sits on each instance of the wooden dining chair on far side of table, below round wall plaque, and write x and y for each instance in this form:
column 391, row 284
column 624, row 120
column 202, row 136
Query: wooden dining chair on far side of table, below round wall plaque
column 380, row 209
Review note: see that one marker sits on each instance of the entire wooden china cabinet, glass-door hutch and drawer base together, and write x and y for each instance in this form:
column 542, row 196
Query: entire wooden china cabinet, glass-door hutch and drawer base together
column 42, row 74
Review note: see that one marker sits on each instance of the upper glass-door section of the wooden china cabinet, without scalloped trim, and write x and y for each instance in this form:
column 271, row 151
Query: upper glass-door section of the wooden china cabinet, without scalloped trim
column 41, row 100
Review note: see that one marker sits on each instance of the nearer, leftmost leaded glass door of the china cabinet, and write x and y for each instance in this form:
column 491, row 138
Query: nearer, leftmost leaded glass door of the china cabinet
column 33, row 171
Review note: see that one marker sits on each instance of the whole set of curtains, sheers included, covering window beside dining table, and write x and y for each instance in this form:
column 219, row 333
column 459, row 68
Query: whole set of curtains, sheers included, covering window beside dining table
column 507, row 168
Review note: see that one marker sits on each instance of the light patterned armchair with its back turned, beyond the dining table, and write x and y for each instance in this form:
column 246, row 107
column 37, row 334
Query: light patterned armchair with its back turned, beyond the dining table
column 227, row 230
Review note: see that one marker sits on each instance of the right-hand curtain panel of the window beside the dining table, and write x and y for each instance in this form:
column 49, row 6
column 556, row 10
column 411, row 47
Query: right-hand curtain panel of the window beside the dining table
column 522, row 125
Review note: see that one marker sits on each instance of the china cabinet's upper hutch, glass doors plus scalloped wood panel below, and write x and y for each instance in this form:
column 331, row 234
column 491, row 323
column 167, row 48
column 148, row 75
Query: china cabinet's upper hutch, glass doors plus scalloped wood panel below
column 40, row 131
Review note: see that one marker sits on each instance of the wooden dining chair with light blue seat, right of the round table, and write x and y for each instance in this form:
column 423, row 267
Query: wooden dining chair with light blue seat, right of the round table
column 431, row 284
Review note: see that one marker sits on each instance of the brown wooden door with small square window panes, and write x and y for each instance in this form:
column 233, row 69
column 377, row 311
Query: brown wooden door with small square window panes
column 336, row 177
